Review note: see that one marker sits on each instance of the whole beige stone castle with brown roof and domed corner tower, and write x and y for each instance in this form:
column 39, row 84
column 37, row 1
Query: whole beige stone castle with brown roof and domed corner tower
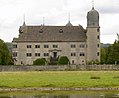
column 51, row 42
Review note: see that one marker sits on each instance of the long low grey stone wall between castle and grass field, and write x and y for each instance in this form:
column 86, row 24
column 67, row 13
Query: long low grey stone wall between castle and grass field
column 58, row 68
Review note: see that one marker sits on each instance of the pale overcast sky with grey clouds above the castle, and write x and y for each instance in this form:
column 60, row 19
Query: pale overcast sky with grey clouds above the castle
column 56, row 13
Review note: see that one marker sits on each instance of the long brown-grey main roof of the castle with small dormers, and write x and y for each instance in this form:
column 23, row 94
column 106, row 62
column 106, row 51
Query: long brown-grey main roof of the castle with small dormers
column 52, row 34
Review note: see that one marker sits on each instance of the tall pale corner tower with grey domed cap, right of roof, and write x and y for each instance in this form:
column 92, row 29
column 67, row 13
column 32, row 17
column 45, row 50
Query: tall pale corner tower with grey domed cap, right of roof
column 93, row 35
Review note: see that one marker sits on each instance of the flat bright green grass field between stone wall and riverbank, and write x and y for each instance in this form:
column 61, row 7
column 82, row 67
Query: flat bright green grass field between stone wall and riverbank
column 59, row 79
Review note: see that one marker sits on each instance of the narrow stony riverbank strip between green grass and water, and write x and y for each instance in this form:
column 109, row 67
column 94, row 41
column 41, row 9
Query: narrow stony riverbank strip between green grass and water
column 55, row 89
